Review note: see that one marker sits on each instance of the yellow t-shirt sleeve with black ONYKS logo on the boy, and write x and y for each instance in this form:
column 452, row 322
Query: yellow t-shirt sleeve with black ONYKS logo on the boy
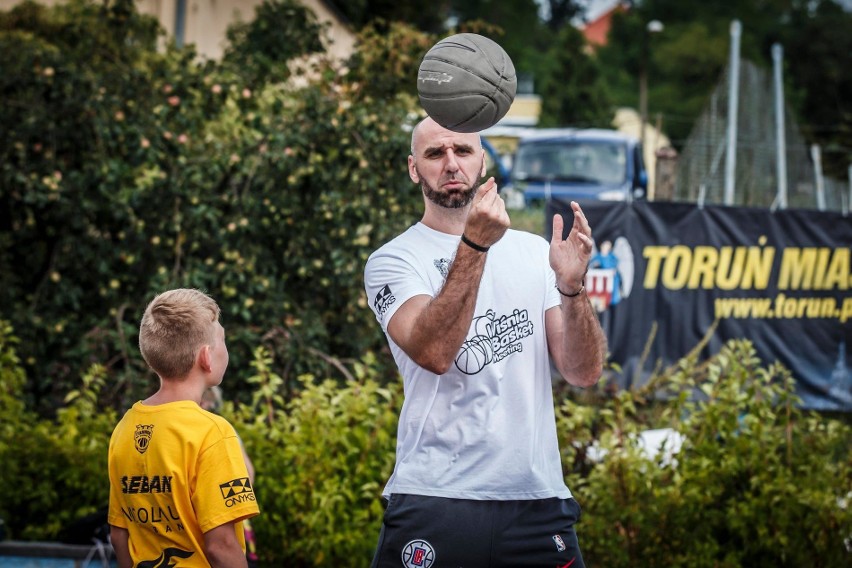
column 223, row 492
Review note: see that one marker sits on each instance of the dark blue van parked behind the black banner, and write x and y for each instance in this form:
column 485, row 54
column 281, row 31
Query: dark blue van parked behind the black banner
column 570, row 163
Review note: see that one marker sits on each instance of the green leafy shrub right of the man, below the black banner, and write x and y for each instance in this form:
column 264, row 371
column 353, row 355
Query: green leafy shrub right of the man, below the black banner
column 757, row 482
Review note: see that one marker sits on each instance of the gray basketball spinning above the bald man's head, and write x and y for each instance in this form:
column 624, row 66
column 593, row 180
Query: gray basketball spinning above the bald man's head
column 466, row 82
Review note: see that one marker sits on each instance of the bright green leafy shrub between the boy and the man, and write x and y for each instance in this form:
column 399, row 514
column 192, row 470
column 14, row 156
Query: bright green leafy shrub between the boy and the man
column 321, row 461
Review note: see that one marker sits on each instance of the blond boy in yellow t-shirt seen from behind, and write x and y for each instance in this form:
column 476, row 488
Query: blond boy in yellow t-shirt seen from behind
column 179, row 488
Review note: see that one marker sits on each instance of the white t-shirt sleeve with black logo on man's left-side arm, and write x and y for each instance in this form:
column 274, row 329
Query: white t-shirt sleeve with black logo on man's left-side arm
column 390, row 281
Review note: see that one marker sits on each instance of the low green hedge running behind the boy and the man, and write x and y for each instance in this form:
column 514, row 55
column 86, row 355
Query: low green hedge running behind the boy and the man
column 756, row 483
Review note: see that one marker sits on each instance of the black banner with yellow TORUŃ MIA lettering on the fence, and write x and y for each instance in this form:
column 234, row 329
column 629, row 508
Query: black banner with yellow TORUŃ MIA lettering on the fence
column 780, row 279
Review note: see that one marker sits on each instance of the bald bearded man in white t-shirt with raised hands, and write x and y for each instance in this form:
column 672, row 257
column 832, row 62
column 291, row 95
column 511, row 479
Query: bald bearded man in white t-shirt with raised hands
column 472, row 311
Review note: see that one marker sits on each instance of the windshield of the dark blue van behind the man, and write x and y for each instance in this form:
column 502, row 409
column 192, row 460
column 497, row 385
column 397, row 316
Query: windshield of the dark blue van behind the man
column 598, row 162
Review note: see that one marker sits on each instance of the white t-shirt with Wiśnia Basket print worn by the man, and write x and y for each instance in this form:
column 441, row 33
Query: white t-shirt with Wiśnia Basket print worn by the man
column 486, row 428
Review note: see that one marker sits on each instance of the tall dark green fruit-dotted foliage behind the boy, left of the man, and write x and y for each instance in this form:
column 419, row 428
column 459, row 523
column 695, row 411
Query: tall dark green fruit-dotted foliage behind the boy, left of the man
column 127, row 170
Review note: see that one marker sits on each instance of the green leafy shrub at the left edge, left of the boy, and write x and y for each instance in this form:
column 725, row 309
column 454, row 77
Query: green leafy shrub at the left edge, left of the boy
column 56, row 467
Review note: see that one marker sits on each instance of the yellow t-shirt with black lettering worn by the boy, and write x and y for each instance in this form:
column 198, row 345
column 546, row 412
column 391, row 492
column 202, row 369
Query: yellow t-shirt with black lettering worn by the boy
column 175, row 472
